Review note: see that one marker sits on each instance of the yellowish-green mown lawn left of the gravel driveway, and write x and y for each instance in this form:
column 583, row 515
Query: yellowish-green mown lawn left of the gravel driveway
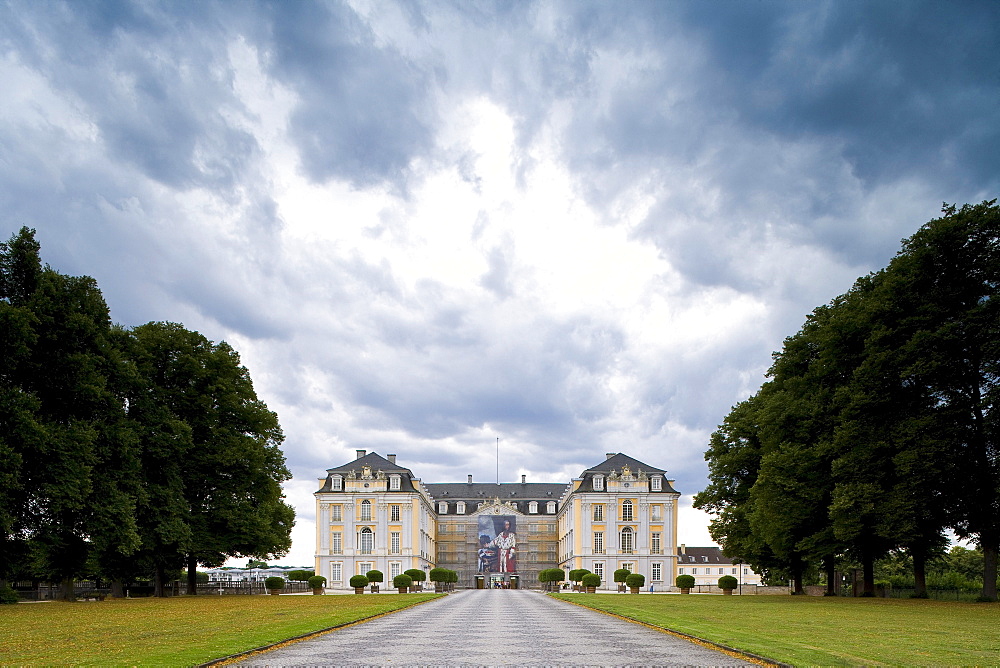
column 180, row 631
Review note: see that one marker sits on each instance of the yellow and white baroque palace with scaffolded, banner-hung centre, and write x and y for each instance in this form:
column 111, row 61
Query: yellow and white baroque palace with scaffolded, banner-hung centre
column 372, row 513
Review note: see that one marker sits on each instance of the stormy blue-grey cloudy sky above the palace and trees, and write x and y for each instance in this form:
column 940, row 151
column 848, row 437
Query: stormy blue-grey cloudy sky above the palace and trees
column 576, row 227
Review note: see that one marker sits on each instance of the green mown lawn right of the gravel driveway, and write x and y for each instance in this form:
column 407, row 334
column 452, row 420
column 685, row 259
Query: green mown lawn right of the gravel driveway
column 807, row 630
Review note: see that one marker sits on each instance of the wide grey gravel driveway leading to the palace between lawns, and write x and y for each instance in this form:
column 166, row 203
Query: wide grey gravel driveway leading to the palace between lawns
column 494, row 627
